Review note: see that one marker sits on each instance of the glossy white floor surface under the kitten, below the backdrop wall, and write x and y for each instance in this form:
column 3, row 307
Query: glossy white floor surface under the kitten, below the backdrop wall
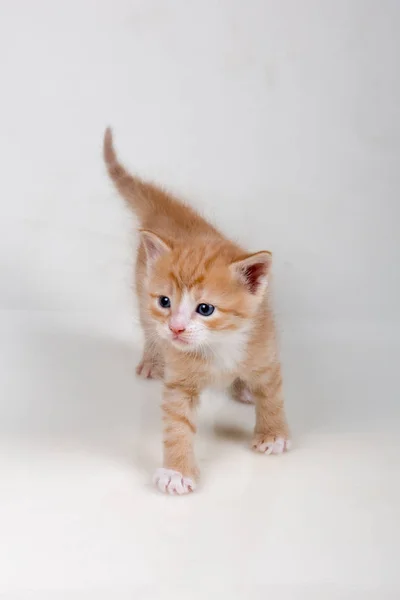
column 80, row 518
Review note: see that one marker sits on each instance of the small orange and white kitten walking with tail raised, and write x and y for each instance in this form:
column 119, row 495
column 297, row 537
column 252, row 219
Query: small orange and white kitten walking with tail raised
column 206, row 320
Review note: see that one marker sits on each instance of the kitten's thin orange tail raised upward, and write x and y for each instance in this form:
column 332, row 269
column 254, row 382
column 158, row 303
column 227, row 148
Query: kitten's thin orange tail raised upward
column 136, row 193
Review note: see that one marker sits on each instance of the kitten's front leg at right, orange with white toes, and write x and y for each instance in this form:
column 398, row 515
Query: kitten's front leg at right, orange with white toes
column 271, row 434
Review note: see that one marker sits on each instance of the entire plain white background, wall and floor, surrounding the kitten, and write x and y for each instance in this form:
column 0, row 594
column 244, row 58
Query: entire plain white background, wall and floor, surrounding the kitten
column 281, row 122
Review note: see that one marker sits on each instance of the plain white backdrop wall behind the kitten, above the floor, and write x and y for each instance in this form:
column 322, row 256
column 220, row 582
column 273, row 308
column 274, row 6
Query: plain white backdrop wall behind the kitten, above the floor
column 280, row 123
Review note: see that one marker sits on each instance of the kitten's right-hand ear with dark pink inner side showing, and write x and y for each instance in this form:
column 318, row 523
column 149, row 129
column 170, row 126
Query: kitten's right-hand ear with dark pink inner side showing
column 252, row 271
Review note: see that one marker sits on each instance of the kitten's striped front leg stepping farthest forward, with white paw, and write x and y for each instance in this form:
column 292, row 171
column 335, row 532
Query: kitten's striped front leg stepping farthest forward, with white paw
column 179, row 472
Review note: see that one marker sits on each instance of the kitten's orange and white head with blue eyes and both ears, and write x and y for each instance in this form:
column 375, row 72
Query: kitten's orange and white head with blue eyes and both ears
column 199, row 296
